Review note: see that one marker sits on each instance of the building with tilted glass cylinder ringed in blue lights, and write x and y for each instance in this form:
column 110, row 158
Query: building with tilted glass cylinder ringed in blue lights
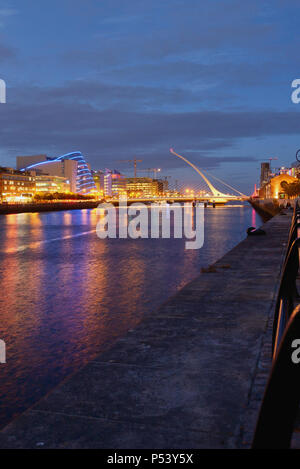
column 71, row 166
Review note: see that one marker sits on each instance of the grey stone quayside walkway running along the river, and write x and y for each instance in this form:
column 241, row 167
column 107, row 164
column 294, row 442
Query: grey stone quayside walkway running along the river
column 190, row 376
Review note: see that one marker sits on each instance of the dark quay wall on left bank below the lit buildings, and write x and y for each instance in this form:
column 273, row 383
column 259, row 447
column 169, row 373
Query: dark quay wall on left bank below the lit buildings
column 6, row 209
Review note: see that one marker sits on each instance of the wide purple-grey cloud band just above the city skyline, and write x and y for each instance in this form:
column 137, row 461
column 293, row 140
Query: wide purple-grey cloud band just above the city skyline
column 53, row 120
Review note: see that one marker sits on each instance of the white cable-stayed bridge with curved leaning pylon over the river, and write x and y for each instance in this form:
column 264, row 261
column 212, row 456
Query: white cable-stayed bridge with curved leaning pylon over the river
column 201, row 191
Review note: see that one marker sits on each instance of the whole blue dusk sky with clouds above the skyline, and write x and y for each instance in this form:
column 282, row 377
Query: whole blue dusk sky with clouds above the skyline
column 117, row 80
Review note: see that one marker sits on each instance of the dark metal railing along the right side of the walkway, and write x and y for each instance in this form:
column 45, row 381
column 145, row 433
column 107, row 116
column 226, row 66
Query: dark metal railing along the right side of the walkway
column 281, row 400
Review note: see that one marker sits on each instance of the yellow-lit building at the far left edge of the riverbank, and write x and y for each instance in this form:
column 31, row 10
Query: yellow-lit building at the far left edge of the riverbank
column 16, row 186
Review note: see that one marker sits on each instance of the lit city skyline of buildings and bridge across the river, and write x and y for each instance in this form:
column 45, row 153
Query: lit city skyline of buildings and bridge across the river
column 82, row 174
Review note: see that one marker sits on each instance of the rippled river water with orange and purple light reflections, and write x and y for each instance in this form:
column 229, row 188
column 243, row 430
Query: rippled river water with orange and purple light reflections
column 67, row 295
